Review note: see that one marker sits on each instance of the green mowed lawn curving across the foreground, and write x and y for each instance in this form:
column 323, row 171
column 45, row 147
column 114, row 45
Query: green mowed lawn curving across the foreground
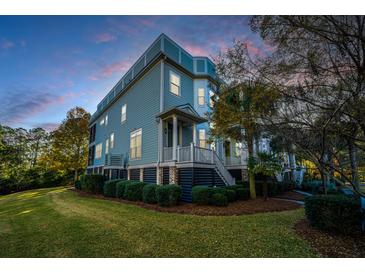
column 56, row 222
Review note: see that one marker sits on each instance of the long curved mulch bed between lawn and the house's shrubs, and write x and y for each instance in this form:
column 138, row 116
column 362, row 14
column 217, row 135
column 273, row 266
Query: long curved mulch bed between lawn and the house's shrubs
column 235, row 208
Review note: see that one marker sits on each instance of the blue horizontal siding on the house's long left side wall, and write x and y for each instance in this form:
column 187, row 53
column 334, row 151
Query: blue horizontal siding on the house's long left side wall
column 143, row 104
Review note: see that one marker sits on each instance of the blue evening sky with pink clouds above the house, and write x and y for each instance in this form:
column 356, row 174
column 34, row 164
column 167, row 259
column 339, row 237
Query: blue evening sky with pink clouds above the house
column 49, row 64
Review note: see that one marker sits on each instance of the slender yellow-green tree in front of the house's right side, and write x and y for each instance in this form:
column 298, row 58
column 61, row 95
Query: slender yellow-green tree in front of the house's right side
column 244, row 101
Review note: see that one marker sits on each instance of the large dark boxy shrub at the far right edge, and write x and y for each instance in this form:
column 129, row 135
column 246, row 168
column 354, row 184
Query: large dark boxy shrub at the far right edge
column 333, row 212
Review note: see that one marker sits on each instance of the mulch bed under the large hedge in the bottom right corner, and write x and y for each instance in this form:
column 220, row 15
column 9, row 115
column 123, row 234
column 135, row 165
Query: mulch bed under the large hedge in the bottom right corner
column 332, row 245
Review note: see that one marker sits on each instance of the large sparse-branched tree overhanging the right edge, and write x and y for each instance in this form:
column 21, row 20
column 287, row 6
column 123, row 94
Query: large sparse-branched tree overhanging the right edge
column 318, row 64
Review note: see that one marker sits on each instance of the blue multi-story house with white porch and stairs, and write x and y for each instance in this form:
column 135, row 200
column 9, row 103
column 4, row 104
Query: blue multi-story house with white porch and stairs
column 153, row 126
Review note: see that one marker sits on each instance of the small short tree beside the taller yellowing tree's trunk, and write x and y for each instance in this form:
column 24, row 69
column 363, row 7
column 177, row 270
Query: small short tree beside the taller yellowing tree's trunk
column 267, row 165
